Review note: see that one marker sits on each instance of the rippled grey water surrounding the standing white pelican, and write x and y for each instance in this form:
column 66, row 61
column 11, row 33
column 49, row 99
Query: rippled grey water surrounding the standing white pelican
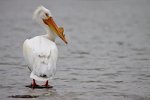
column 107, row 58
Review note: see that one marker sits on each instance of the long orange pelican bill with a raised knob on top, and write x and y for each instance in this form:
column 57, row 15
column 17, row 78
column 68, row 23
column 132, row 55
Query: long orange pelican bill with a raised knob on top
column 52, row 25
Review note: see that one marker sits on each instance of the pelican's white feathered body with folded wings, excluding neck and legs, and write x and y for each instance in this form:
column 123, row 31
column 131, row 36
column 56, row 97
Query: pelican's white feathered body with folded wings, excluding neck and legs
column 41, row 56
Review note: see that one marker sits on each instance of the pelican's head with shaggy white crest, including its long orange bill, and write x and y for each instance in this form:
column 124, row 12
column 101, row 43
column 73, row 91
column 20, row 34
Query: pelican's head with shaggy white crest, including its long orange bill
column 43, row 15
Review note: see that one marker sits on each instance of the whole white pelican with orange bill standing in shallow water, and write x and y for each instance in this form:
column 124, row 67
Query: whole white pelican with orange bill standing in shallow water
column 41, row 52
